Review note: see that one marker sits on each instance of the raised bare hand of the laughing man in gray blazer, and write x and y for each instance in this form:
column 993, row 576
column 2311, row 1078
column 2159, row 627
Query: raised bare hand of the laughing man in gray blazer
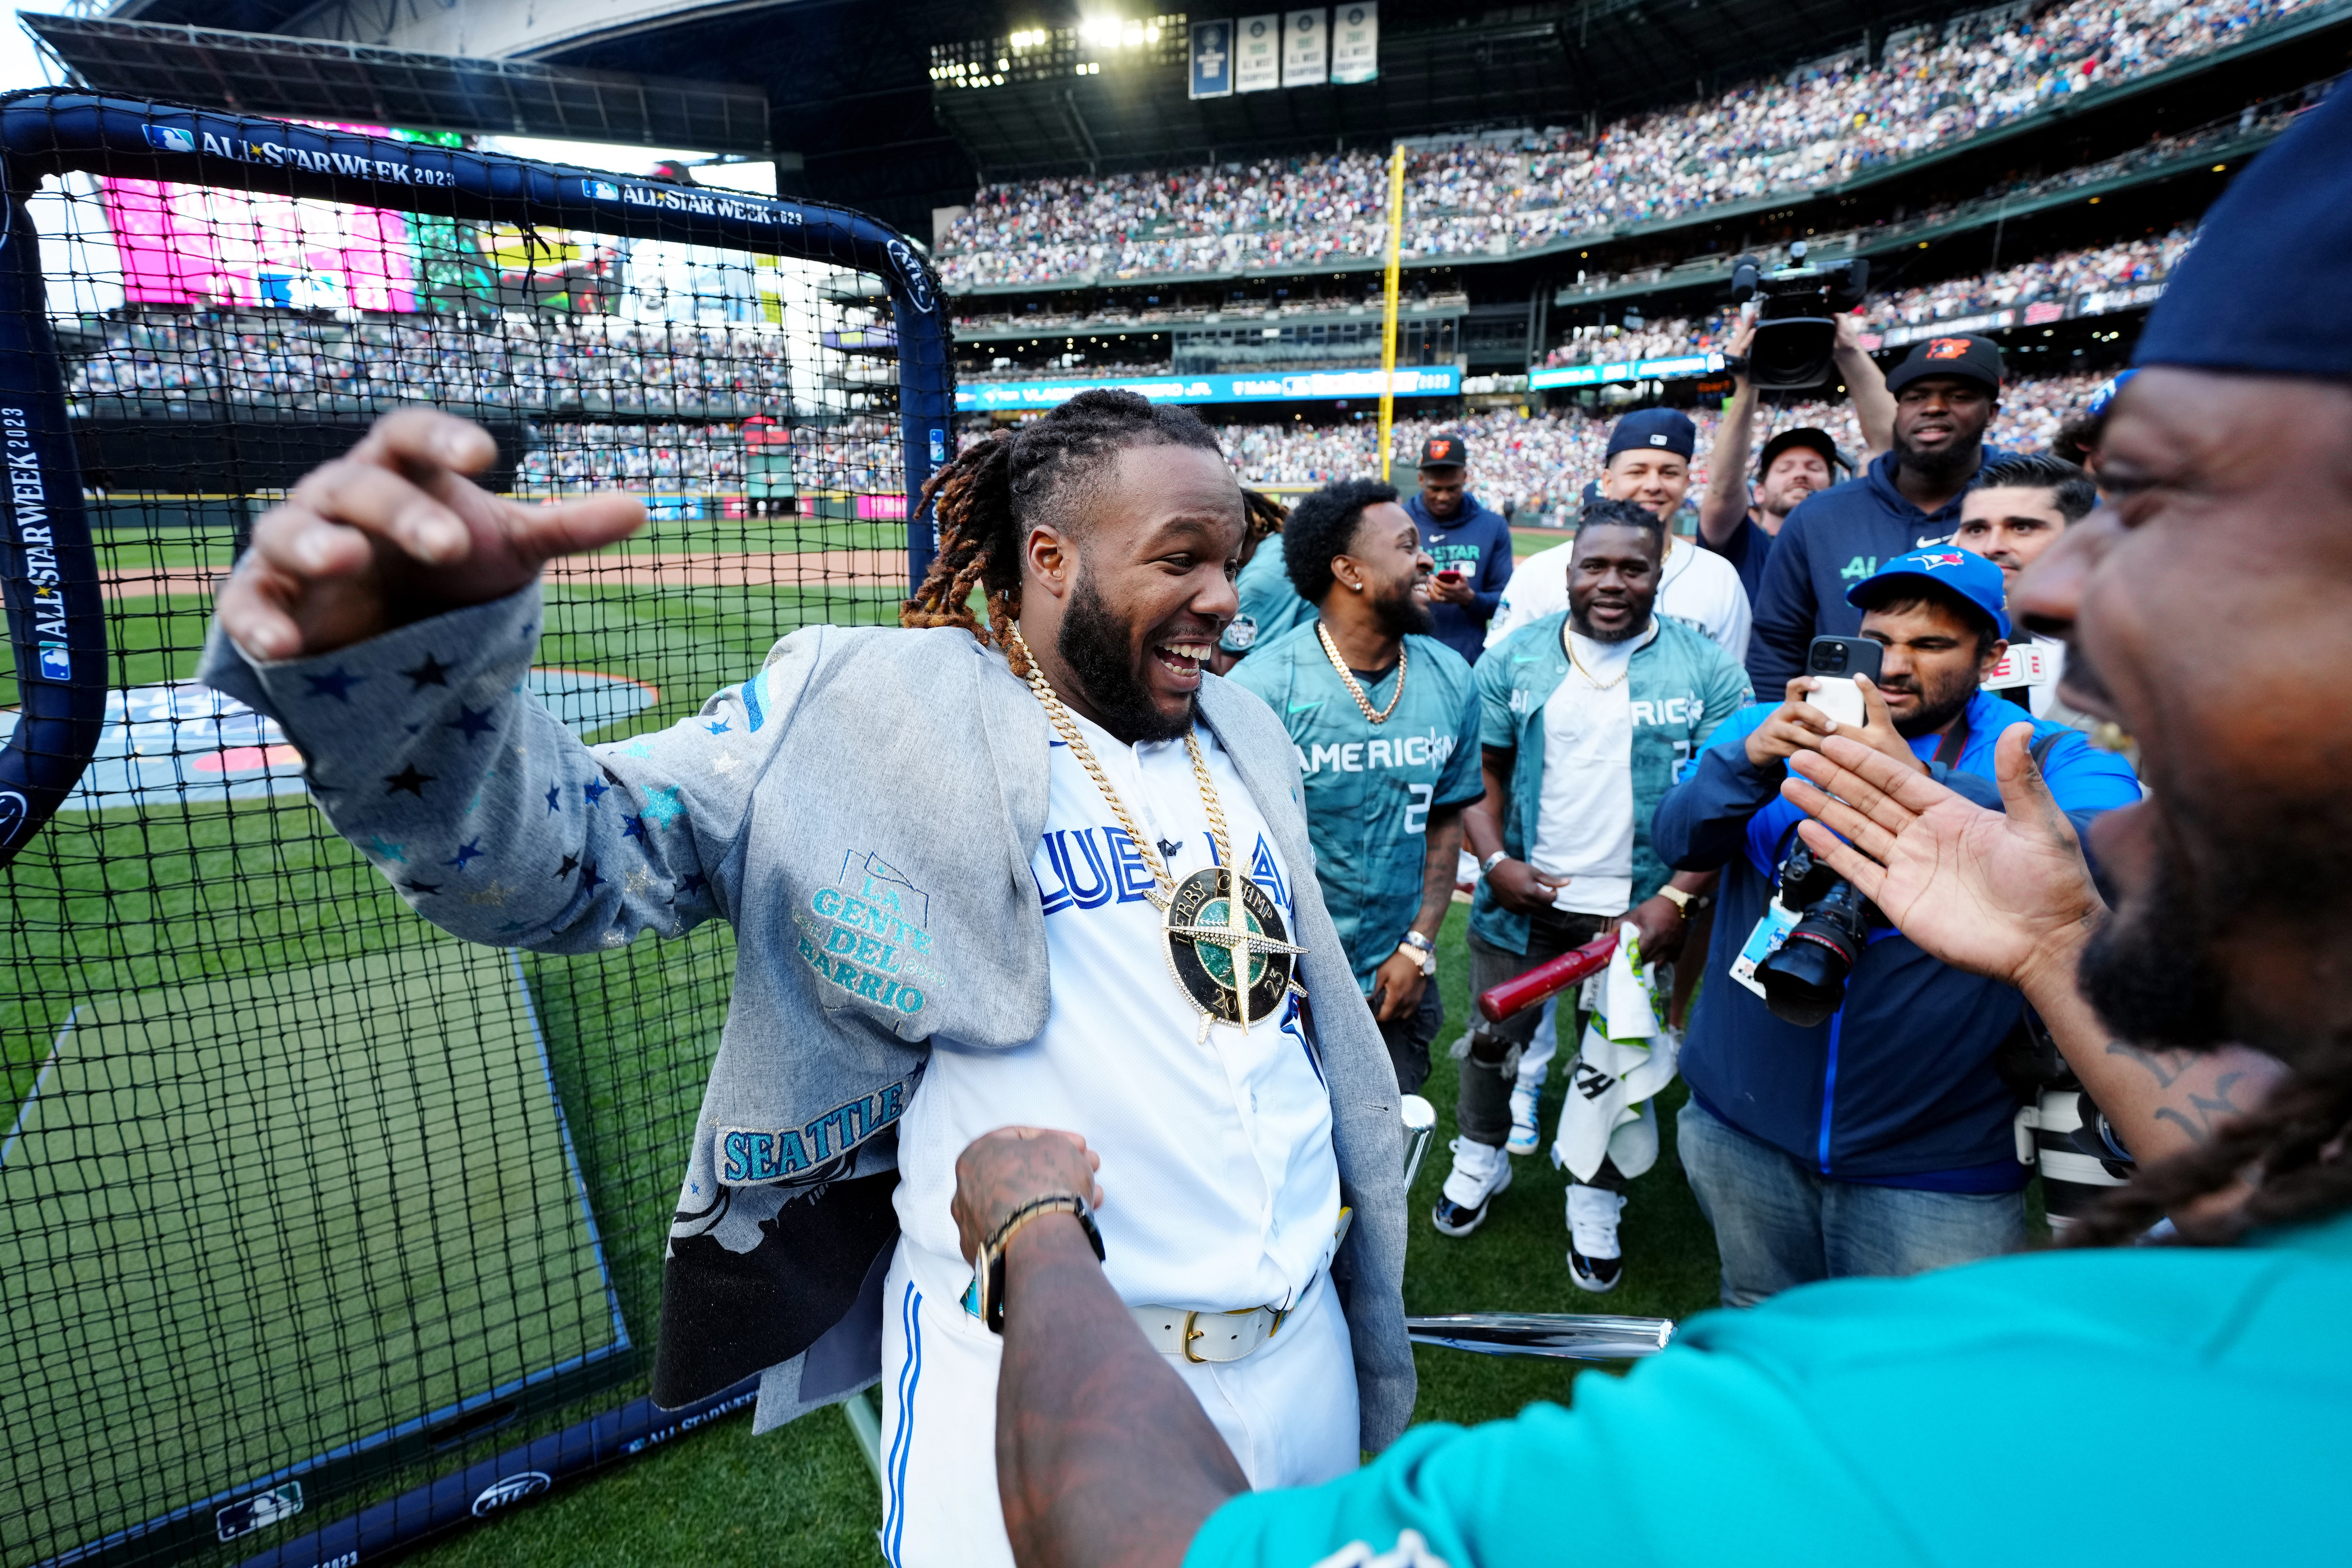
column 394, row 532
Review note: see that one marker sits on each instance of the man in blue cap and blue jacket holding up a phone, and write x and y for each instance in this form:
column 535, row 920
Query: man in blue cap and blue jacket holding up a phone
column 1878, row 1141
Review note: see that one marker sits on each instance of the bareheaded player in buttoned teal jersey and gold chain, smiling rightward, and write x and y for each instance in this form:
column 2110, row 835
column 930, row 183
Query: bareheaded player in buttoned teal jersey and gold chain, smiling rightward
column 1387, row 728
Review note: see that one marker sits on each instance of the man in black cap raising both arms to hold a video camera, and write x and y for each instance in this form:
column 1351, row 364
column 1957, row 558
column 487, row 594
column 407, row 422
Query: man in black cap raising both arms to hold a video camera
column 1796, row 464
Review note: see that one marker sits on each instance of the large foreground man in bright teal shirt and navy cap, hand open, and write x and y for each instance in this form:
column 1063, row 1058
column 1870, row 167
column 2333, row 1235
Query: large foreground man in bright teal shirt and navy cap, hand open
column 1852, row 1423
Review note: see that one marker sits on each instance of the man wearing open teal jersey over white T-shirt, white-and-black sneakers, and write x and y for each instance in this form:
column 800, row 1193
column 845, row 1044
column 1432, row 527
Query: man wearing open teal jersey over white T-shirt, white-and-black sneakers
column 1586, row 718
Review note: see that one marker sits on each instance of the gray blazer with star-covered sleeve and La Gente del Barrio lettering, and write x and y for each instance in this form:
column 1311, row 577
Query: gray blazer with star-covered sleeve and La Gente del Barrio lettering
column 864, row 815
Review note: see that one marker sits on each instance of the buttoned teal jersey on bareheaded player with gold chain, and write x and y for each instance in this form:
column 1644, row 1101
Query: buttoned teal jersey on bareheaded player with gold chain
column 1372, row 786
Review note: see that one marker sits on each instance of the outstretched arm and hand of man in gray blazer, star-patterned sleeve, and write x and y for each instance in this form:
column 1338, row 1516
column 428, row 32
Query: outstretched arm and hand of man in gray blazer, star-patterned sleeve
column 387, row 617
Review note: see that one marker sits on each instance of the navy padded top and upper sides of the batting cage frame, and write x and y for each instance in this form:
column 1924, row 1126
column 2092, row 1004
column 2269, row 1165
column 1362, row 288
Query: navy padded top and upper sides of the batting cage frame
column 58, row 130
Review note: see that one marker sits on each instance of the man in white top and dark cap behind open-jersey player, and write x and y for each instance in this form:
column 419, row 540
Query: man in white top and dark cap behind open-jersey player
column 1650, row 464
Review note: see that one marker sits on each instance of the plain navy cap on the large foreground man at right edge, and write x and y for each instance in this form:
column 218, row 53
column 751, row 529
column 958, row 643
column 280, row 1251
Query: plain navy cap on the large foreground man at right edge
column 2269, row 286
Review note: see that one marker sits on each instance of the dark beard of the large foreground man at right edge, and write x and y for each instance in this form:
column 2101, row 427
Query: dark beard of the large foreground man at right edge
column 2151, row 974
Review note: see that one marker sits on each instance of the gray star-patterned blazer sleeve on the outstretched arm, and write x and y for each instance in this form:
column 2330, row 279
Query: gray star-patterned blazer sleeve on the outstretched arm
column 486, row 812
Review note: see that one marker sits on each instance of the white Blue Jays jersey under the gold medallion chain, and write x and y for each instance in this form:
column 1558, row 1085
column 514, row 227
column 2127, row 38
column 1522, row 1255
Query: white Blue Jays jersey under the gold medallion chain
column 1220, row 1177
